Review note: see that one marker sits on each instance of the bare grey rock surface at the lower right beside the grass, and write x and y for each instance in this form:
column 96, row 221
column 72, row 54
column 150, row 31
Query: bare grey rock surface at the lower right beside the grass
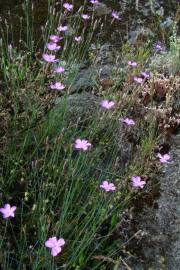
column 160, row 225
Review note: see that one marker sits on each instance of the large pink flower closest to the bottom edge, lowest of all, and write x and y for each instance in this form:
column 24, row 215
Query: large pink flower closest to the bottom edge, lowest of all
column 55, row 245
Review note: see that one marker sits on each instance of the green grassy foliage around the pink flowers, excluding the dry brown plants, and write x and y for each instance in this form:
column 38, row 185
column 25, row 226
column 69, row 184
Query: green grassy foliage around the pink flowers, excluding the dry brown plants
column 55, row 188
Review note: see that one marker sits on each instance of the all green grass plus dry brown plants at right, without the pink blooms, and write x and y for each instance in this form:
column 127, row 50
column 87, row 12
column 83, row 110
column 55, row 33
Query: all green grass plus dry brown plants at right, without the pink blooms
column 56, row 186
